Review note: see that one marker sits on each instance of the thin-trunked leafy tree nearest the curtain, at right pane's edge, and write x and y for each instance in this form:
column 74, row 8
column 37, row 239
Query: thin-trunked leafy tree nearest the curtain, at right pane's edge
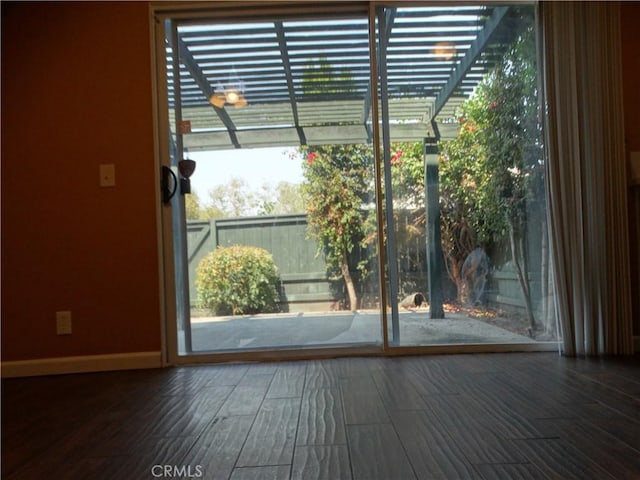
column 512, row 139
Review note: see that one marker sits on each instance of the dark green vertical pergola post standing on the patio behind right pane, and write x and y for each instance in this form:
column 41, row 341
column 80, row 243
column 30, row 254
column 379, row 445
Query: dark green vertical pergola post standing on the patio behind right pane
column 434, row 245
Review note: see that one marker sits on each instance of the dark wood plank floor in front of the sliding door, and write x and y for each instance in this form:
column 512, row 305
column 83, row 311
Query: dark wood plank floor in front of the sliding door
column 488, row 416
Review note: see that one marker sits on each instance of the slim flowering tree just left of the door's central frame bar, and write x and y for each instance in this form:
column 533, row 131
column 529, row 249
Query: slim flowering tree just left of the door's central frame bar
column 337, row 182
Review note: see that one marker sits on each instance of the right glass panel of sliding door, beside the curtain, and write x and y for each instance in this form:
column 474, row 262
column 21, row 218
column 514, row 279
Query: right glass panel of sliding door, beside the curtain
column 464, row 176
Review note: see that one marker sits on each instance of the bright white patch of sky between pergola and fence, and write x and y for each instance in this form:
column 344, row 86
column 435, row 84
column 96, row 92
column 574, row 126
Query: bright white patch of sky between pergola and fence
column 256, row 166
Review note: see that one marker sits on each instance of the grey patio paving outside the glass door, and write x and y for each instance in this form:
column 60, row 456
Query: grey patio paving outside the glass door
column 341, row 328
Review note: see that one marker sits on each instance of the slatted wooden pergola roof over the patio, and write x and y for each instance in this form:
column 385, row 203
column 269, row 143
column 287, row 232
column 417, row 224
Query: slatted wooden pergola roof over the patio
column 308, row 80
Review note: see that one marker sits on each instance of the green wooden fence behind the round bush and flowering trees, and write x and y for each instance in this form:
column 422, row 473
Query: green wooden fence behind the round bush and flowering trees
column 303, row 273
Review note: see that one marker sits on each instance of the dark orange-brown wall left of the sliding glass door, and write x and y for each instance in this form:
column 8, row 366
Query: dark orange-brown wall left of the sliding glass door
column 76, row 81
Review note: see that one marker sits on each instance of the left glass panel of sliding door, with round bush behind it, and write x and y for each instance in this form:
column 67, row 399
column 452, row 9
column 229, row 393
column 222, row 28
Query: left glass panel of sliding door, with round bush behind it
column 279, row 225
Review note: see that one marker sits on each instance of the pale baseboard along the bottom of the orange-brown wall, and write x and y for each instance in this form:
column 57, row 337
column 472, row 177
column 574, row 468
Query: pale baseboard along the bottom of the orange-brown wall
column 81, row 364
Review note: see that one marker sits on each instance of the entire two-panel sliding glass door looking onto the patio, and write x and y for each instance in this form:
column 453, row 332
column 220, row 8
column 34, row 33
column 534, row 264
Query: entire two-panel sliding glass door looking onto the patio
column 330, row 173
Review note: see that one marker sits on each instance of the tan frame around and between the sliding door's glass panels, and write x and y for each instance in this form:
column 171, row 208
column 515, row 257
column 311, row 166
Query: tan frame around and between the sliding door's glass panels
column 160, row 13
